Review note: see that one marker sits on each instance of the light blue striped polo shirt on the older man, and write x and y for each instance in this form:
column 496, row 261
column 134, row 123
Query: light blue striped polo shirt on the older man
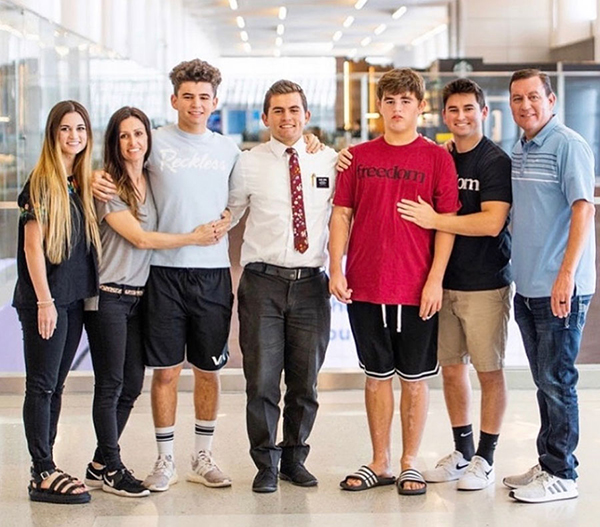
column 549, row 173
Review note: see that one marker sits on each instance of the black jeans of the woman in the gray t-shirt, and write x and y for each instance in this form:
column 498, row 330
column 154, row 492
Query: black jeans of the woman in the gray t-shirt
column 116, row 344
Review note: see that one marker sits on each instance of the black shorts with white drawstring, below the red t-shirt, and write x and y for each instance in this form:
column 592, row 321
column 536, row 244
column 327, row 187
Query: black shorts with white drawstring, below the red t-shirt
column 385, row 347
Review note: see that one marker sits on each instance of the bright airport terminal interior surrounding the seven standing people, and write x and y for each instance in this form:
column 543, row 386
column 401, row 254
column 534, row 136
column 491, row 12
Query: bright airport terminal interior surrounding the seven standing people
column 110, row 53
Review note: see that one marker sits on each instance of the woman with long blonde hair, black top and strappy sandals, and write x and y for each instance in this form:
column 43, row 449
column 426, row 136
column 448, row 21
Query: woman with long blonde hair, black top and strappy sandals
column 56, row 262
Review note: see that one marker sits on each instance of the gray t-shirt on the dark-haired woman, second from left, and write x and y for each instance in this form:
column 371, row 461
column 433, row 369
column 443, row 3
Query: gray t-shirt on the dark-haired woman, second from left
column 123, row 263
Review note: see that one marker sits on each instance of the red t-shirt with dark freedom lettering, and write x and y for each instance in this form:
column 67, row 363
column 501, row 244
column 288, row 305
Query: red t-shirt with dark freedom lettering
column 389, row 258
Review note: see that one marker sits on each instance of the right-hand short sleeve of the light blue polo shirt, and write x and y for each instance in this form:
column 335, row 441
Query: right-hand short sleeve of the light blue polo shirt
column 576, row 171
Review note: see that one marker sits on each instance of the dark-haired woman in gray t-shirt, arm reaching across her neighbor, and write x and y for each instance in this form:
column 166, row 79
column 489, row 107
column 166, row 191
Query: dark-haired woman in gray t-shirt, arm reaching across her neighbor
column 127, row 225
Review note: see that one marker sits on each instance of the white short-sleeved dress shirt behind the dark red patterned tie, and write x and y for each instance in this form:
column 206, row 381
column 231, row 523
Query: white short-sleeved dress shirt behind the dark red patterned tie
column 261, row 181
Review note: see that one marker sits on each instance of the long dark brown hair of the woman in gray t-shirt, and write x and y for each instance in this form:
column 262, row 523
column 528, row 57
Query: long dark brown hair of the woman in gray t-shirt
column 114, row 163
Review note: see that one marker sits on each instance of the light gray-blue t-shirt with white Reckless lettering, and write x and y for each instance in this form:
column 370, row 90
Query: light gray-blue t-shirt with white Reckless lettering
column 189, row 174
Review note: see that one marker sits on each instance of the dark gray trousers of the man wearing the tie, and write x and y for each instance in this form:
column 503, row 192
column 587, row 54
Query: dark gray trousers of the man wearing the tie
column 284, row 326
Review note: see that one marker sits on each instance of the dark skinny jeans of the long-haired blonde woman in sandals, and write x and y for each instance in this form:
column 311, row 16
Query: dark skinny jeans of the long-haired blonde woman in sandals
column 47, row 363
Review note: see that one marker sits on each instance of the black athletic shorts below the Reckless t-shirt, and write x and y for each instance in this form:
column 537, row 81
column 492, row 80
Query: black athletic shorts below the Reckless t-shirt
column 187, row 308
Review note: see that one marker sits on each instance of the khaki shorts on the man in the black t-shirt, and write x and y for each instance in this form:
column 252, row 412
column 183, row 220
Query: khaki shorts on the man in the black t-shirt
column 473, row 326
